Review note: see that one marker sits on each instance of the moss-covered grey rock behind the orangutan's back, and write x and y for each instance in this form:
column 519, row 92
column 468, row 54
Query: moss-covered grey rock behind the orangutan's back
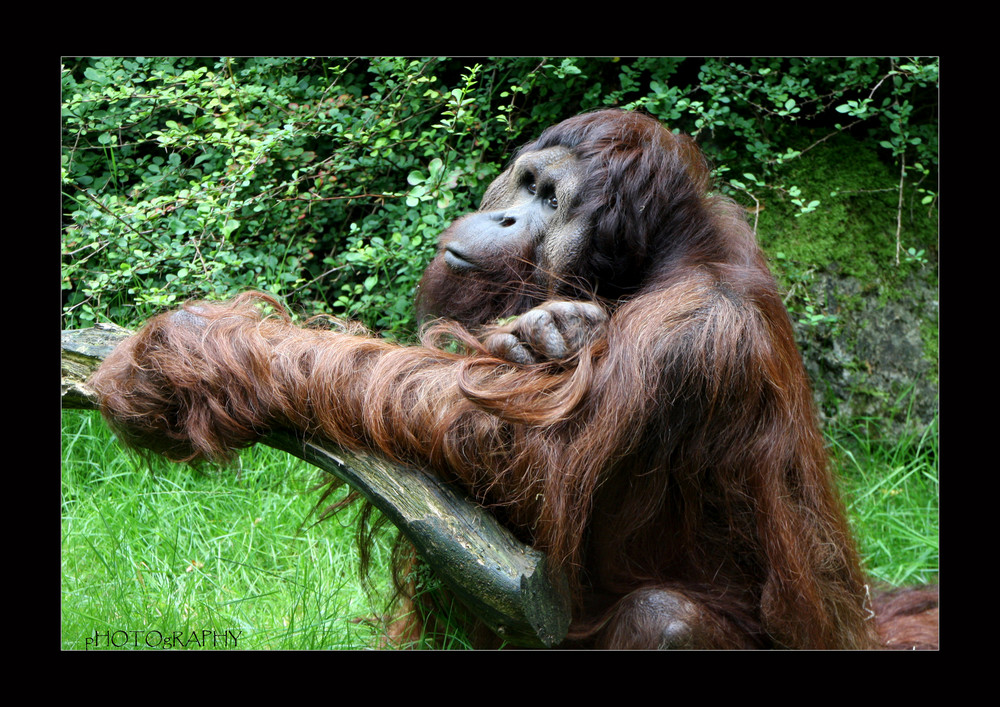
column 867, row 325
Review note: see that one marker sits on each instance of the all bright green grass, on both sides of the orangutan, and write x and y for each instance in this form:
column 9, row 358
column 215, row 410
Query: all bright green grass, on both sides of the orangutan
column 164, row 551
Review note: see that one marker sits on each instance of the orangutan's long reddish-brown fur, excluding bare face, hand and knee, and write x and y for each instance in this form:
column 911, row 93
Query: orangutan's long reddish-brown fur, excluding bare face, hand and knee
column 679, row 451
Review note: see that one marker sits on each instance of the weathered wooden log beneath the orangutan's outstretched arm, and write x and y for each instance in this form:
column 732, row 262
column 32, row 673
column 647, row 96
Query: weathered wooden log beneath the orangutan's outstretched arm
column 502, row 581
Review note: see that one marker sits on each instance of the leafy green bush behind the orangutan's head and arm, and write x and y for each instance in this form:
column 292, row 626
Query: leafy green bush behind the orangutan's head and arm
column 327, row 181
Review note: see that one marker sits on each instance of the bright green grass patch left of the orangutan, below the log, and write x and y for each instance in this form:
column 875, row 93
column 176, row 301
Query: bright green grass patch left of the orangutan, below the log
column 172, row 551
